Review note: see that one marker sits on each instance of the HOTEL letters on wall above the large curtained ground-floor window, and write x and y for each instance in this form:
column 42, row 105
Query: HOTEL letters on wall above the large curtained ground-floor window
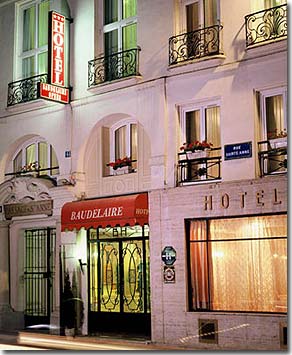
column 259, row 198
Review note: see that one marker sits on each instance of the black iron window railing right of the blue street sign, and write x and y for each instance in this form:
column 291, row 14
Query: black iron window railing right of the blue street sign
column 272, row 160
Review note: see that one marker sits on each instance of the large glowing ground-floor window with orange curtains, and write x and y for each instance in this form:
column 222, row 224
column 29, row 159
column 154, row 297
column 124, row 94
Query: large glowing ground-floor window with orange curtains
column 238, row 264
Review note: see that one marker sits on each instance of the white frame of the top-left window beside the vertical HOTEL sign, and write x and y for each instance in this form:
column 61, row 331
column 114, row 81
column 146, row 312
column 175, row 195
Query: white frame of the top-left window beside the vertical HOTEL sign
column 19, row 55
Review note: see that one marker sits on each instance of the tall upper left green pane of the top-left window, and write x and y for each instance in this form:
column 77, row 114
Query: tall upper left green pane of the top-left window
column 28, row 29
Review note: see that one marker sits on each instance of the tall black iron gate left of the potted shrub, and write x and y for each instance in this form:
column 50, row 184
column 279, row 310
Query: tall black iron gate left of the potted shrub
column 39, row 274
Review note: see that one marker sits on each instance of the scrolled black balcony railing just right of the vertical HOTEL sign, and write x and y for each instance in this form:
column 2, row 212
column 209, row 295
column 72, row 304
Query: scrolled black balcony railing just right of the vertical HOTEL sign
column 115, row 66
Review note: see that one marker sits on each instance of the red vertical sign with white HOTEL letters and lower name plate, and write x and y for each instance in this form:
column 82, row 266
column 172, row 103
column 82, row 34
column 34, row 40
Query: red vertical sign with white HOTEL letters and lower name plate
column 55, row 88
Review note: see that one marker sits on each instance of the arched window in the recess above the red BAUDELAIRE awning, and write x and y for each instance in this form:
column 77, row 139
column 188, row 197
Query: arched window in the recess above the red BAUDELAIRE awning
column 124, row 140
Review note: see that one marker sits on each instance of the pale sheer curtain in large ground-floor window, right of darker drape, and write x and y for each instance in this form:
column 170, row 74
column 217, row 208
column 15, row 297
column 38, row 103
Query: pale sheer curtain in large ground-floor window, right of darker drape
column 249, row 274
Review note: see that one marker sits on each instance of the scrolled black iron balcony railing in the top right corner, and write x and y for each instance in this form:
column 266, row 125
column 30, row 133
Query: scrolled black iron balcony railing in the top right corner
column 266, row 25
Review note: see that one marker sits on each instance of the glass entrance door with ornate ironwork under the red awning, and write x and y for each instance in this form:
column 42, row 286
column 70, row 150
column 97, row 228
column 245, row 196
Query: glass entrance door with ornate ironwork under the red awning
column 119, row 280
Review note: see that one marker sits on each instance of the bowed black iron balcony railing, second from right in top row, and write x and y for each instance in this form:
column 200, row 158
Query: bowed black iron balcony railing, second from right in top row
column 196, row 44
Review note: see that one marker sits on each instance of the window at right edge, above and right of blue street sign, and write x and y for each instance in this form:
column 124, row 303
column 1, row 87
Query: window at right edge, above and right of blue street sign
column 273, row 104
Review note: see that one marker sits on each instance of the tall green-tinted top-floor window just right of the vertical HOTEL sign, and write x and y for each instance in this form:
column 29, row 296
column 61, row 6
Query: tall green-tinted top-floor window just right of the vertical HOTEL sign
column 120, row 24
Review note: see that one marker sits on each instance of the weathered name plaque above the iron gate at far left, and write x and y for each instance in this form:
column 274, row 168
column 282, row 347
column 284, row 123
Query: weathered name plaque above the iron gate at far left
column 27, row 209
